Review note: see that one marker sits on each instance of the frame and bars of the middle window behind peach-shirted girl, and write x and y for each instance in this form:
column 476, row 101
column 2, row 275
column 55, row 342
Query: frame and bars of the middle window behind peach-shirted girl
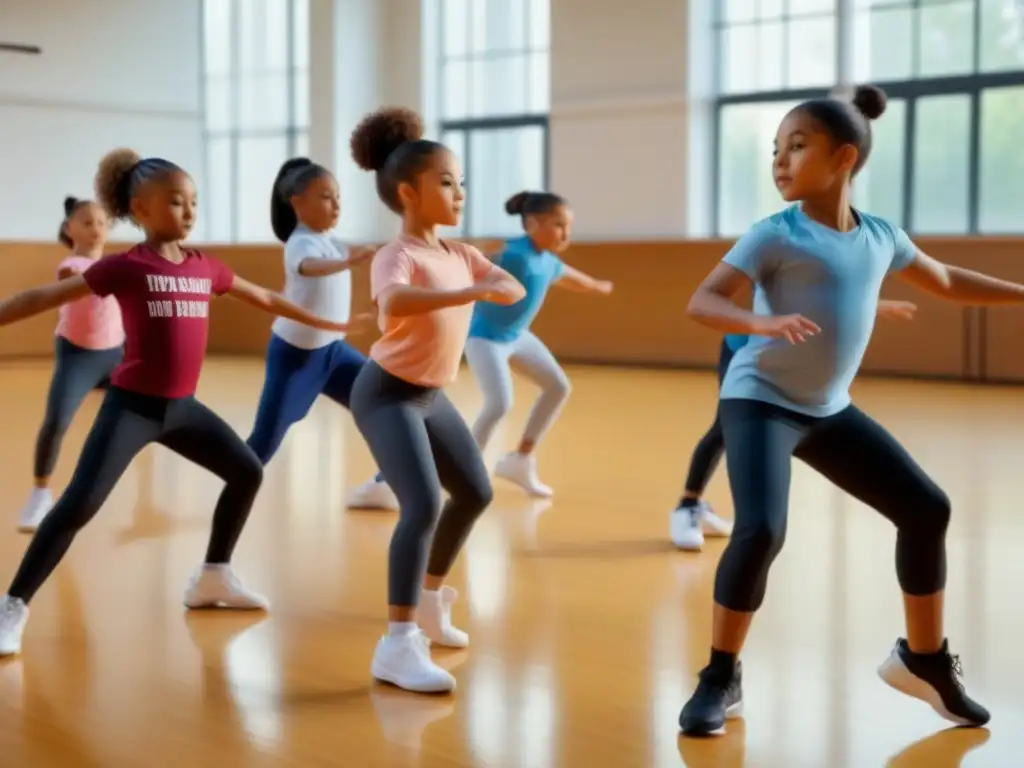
column 484, row 124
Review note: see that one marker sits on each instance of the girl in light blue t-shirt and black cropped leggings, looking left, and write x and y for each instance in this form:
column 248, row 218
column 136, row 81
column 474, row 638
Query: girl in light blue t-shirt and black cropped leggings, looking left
column 817, row 270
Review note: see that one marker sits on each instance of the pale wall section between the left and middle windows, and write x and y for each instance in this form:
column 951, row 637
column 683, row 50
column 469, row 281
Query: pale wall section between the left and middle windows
column 364, row 55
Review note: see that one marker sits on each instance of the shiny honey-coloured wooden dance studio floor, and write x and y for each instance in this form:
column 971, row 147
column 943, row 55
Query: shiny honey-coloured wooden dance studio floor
column 587, row 627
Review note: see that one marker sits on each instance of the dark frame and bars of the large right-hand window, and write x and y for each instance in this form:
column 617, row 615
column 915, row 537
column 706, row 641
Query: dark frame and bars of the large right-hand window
column 972, row 86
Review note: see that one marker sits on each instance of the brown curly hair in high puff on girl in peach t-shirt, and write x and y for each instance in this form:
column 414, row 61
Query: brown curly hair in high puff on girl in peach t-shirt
column 391, row 143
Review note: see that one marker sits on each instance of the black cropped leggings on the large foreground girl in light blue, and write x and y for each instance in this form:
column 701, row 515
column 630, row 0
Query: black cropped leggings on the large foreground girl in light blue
column 859, row 456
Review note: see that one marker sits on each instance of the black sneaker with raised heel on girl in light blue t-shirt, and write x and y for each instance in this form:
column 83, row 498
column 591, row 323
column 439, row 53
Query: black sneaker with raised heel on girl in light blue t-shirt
column 935, row 679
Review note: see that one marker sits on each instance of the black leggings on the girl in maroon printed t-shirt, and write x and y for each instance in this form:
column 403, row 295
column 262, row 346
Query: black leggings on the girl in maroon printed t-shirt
column 126, row 423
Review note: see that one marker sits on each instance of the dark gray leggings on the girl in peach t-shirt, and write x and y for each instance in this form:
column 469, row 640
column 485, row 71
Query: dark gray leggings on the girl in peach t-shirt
column 420, row 443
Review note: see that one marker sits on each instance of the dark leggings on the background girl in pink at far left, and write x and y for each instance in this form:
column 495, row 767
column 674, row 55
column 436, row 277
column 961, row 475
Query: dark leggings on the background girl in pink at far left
column 76, row 373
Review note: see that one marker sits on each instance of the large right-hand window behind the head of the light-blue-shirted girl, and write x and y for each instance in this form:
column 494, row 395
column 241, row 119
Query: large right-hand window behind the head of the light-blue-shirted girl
column 947, row 157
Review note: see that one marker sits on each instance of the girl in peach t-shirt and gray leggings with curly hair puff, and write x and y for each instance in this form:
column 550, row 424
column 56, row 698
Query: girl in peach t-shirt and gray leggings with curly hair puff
column 424, row 289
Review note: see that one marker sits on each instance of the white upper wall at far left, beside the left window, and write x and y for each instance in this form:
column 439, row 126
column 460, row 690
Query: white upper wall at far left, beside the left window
column 113, row 73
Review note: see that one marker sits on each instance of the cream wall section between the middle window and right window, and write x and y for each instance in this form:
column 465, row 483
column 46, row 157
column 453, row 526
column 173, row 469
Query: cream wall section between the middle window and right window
column 626, row 129
